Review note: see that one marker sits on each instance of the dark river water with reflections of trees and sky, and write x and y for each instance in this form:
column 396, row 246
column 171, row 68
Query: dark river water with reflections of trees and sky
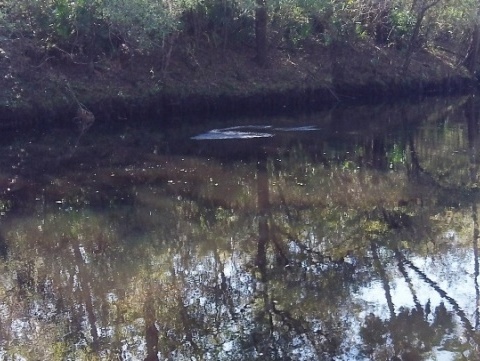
column 344, row 235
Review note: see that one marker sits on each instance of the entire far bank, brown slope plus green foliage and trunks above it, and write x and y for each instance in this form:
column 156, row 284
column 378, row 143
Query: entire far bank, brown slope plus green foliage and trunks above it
column 145, row 58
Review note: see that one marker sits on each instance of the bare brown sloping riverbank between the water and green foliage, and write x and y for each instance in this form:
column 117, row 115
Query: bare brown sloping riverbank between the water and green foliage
column 208, row 80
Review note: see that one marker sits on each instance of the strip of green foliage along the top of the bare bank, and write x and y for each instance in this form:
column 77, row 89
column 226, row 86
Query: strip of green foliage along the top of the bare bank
column 96, row 28
